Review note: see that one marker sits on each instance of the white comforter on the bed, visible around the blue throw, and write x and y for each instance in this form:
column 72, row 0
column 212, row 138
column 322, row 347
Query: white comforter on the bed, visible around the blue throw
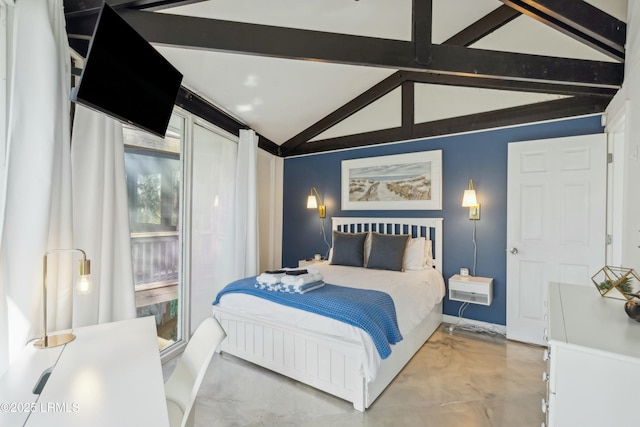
column 414, row 294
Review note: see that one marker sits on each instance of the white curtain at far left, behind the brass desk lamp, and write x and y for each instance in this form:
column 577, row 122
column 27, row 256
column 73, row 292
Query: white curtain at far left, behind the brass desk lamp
column 36, row 181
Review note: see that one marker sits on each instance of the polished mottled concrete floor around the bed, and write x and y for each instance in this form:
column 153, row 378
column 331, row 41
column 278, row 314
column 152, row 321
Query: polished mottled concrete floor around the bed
column 456, row 379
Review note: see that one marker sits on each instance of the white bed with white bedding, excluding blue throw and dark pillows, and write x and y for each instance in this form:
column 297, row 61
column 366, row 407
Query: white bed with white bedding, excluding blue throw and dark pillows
column 327, row 354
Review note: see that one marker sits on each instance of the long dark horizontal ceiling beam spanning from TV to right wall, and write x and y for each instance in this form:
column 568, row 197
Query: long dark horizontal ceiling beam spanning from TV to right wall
column 253, row 39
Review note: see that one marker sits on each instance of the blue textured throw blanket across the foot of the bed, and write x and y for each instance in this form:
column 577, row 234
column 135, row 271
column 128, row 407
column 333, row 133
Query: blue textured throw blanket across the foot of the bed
column 372, row 311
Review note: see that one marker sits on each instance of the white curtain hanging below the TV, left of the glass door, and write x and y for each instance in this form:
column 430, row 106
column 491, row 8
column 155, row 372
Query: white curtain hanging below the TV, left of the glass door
column 101, row 217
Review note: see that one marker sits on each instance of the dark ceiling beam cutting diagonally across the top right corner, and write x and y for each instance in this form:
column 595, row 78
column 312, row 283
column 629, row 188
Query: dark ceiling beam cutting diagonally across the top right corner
column 579, row 20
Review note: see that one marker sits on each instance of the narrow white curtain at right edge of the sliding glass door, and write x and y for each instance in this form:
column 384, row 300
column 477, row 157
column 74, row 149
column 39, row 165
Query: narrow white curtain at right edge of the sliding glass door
column 246, row 215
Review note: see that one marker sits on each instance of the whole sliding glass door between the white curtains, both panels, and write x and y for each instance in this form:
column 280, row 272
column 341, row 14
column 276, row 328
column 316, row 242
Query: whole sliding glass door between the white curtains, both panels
column 181, row 211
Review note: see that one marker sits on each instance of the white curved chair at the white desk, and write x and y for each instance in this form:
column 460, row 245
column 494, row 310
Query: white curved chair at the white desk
column 182, row 386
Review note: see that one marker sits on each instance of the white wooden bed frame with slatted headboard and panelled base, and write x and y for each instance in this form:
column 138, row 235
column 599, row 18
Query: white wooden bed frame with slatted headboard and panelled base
column 326, row 363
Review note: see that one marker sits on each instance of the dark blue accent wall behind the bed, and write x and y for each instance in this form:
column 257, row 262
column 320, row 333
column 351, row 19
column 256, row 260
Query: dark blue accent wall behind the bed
column 481, row 156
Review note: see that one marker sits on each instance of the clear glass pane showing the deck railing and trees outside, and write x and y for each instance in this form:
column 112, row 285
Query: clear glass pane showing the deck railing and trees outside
column 154, row 178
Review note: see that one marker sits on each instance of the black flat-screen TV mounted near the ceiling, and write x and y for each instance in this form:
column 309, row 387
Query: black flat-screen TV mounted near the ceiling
column 127, row 78
